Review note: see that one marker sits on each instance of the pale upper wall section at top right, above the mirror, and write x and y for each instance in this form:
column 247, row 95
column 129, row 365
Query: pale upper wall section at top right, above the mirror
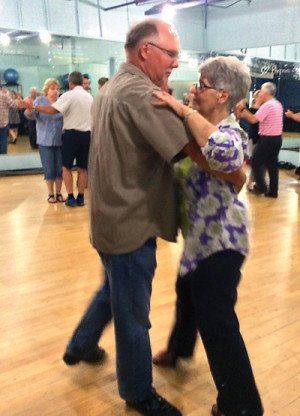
column 263, row 23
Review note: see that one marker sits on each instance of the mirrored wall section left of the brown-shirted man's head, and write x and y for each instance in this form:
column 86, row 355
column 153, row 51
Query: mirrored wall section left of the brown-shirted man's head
column 27, row 62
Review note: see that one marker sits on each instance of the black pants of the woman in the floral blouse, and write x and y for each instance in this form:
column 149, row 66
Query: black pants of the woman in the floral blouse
column 206, row 301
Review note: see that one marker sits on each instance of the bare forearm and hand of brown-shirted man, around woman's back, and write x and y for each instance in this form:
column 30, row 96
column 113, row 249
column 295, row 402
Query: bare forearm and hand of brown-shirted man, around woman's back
column 237, row 178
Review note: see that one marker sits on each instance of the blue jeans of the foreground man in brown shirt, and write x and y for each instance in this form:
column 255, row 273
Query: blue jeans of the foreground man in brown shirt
column 125, row 296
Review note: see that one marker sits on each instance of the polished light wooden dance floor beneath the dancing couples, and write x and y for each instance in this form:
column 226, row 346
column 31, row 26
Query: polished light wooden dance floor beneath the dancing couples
column 49, row 271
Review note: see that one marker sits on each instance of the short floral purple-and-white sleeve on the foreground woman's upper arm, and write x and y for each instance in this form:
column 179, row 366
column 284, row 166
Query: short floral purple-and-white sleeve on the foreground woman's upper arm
column 224, row 150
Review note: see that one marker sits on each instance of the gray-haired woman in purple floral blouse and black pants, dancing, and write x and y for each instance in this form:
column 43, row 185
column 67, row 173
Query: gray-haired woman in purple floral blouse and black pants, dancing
column 216, row 242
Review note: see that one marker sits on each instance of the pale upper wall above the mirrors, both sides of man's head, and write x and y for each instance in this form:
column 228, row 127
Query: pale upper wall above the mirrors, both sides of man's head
column 263, row 23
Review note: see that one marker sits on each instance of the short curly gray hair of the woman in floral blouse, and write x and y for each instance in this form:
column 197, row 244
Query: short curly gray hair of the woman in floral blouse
column 229, row 74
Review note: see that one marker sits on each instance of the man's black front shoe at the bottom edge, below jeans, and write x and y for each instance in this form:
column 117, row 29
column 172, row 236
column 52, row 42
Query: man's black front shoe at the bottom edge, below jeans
column 155, row 406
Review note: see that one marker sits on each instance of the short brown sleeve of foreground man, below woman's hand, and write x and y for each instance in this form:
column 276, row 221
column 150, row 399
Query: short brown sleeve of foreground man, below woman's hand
column 160, row 127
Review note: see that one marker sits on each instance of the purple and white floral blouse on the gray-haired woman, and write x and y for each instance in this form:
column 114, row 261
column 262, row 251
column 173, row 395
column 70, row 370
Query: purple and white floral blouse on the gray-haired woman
column 217, row 219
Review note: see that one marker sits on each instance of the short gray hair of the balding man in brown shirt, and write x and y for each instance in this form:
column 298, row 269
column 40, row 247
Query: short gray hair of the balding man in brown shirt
column 140, row 31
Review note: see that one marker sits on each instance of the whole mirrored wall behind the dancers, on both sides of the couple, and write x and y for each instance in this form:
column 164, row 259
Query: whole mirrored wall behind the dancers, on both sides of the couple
column 28, row 60
